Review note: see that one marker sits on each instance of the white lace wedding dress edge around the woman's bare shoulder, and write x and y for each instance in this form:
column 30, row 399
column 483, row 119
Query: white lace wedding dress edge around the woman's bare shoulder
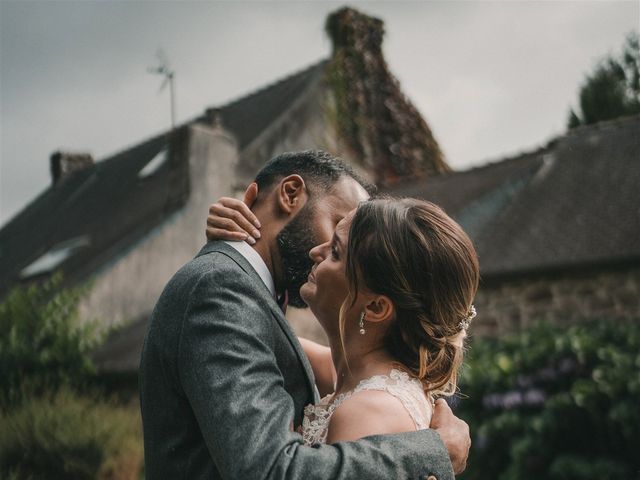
column 408, row 390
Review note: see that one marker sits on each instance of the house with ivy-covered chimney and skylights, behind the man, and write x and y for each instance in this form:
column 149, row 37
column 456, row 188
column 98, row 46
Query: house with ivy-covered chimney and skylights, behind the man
column 126, row 223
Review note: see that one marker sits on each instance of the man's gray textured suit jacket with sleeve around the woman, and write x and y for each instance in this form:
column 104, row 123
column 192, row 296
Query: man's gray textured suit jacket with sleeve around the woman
column 223, row 378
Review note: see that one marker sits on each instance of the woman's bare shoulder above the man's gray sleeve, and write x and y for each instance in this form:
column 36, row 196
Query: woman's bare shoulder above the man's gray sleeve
column 368, row 412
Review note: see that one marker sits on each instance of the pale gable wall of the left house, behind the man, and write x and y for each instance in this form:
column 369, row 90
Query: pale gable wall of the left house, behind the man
column 128, row 287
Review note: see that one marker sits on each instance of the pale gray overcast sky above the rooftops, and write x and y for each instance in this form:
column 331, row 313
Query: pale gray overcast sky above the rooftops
column 491, row 78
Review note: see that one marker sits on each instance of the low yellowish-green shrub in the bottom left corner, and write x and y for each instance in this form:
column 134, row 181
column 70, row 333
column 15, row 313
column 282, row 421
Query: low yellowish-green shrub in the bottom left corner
column 69, row 437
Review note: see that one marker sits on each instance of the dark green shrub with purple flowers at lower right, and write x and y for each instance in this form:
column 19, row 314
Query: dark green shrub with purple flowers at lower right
column 556, row 403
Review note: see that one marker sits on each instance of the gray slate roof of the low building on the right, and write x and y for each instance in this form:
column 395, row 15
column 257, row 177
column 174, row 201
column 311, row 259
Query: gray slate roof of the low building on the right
column 571, row 204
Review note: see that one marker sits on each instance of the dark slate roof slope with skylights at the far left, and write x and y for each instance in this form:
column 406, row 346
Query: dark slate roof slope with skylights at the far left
column 107, row 203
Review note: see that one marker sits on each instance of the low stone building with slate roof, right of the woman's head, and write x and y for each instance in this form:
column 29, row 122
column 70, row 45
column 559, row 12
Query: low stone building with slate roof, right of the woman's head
column 557, row 230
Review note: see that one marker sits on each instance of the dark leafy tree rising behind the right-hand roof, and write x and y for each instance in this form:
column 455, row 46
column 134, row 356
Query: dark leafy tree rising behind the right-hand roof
column 613, row 88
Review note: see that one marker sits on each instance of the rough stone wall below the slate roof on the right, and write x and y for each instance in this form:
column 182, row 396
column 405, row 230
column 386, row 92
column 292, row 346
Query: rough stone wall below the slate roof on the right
column 509, row 305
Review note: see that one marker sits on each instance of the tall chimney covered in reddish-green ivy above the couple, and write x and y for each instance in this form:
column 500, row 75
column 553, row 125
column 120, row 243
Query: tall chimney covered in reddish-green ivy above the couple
column 374, row 120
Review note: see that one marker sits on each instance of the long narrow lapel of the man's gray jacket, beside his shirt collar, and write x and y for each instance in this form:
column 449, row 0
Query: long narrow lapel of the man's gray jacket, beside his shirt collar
column 276, row 312
